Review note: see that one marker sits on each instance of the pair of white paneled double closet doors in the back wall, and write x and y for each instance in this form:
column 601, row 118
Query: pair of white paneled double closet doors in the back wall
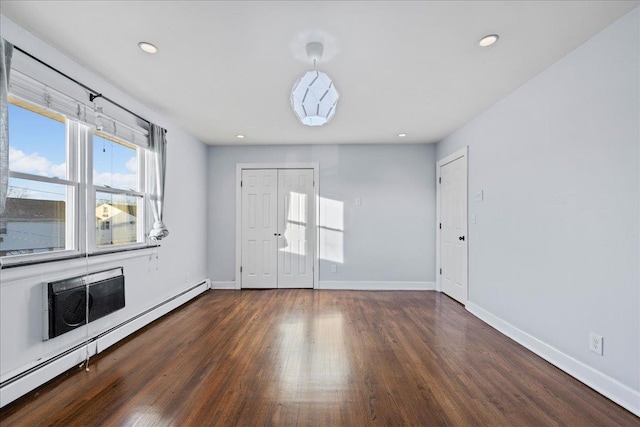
column 278, row 228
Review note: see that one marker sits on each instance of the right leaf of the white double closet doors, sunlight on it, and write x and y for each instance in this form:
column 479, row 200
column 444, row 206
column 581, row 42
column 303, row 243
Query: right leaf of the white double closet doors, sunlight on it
column 296, row 228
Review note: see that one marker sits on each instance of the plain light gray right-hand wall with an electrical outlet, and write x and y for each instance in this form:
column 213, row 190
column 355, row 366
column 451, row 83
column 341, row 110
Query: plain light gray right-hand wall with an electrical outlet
column 554, row 251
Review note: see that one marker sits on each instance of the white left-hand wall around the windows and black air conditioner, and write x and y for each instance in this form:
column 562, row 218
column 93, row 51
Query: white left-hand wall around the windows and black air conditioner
column 149, row 280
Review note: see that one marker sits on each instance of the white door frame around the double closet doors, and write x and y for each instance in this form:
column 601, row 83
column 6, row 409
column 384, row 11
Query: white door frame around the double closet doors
column 316, row 190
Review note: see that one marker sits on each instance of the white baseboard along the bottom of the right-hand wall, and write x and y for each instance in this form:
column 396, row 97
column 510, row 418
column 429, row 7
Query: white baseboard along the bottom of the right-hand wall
column 609, row 387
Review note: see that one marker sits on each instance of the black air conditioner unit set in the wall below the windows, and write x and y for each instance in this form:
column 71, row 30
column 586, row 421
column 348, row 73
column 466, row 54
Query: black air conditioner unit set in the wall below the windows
column 67, row 299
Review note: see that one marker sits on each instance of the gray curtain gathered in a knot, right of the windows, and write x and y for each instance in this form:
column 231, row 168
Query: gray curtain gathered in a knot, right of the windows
column 157, row 172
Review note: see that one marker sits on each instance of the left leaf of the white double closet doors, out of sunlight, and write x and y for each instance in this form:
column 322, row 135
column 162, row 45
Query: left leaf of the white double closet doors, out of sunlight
column 259, row 228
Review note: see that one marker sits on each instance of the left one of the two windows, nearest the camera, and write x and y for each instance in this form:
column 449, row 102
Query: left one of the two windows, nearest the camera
column 39, row 216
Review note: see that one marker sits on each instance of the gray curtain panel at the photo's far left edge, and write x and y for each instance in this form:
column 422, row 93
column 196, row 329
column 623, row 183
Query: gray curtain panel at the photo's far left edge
column 6, row 50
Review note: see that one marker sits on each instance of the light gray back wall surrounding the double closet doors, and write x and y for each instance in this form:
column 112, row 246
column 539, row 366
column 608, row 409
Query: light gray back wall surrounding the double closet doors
column 390, row 237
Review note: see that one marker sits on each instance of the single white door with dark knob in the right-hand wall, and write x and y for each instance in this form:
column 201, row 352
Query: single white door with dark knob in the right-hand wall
column 453, row 235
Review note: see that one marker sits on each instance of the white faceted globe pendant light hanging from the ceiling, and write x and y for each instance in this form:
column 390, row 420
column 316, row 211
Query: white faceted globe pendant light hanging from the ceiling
column 314, row 96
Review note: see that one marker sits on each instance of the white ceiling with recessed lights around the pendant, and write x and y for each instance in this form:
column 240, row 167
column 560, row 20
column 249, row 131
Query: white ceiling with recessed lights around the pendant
column 225, row 68
